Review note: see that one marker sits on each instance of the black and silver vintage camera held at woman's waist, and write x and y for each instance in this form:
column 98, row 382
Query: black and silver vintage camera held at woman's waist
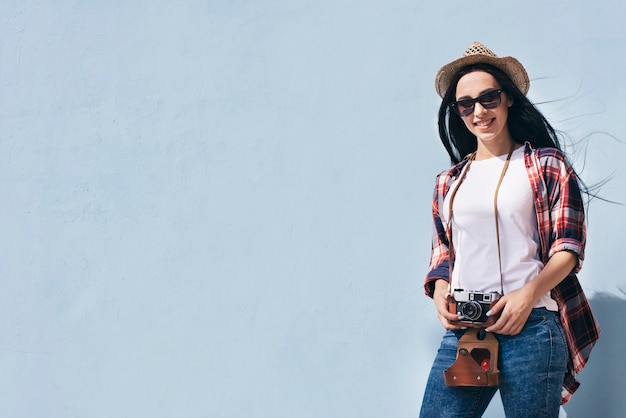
column 472, row 307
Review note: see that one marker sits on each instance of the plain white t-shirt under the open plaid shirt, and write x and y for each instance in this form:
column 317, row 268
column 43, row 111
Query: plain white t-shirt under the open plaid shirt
column 476, row 265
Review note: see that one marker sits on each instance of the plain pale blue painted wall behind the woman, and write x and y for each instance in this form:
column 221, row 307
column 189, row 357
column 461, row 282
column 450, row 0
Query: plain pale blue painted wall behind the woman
column 221, row 208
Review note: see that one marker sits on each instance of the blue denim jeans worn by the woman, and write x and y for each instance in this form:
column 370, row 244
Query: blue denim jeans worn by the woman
column 532, row 367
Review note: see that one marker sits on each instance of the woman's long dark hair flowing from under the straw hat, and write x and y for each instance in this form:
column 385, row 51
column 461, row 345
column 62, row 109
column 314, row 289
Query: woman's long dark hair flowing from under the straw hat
column 525, row 121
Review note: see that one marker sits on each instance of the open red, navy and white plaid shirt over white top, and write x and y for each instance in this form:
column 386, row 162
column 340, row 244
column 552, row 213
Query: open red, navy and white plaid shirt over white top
column 561, row 224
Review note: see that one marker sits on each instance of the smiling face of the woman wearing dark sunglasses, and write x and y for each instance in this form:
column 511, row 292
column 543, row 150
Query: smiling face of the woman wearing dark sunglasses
column 489, row 125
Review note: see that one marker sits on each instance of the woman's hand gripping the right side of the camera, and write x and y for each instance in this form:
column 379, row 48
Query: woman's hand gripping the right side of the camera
column 514, row 308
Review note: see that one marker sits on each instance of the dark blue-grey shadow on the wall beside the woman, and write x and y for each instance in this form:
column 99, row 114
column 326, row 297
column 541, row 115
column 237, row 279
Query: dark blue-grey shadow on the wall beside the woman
column 603, row 382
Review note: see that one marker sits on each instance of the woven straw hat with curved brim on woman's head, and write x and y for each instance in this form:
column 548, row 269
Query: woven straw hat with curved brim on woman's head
column 478, row 53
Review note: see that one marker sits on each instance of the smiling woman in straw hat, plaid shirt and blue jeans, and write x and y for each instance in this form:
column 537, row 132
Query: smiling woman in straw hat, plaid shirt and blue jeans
column 508, row 163
